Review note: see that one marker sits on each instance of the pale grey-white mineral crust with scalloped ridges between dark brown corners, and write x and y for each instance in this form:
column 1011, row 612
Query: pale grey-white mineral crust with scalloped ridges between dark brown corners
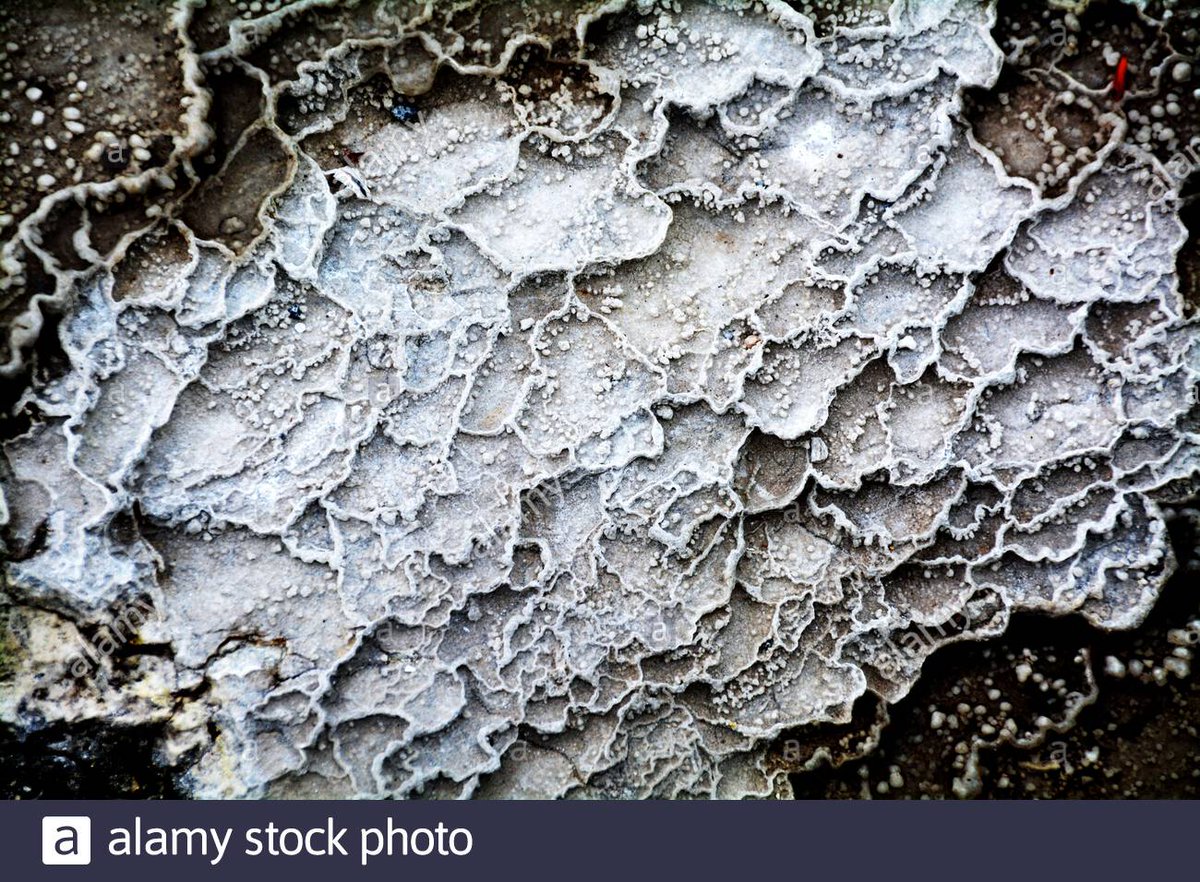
column 502, row 419
